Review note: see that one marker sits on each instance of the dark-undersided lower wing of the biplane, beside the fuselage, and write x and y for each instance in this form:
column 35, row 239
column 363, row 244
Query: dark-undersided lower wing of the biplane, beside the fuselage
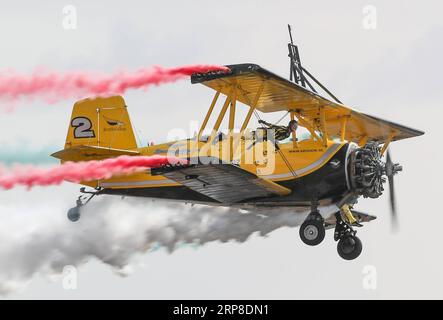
column 225, row 183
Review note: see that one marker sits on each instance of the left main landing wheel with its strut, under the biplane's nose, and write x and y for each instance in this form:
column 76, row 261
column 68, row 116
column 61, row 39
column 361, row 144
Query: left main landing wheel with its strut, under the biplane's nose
column 312, row 231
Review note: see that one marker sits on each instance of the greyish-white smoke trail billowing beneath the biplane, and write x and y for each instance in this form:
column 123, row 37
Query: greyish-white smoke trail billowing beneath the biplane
column 40, row 240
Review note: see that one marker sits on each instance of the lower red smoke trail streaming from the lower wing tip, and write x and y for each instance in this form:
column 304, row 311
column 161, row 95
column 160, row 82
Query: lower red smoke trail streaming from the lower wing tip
column 82, row 171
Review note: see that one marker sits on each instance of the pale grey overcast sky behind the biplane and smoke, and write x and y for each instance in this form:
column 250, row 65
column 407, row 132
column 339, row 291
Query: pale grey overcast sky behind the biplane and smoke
column 392, row 72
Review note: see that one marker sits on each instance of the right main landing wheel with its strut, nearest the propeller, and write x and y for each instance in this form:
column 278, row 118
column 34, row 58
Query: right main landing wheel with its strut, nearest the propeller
column 349, row 245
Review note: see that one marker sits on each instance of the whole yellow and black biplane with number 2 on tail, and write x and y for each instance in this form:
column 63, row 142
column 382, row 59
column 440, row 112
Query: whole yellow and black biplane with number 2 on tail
column 337, row 160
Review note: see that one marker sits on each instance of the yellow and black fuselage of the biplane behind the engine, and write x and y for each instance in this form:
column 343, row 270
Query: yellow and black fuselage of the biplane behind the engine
column 308, row 168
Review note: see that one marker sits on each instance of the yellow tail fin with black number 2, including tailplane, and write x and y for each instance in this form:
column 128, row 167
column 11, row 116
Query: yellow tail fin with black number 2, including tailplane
column 98, row 124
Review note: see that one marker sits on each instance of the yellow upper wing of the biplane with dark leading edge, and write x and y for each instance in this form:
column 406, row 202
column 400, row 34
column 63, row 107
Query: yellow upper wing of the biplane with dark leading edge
column 279, row 94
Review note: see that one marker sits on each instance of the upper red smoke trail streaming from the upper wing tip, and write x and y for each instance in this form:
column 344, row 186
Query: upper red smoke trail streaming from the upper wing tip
column 54, row 86
